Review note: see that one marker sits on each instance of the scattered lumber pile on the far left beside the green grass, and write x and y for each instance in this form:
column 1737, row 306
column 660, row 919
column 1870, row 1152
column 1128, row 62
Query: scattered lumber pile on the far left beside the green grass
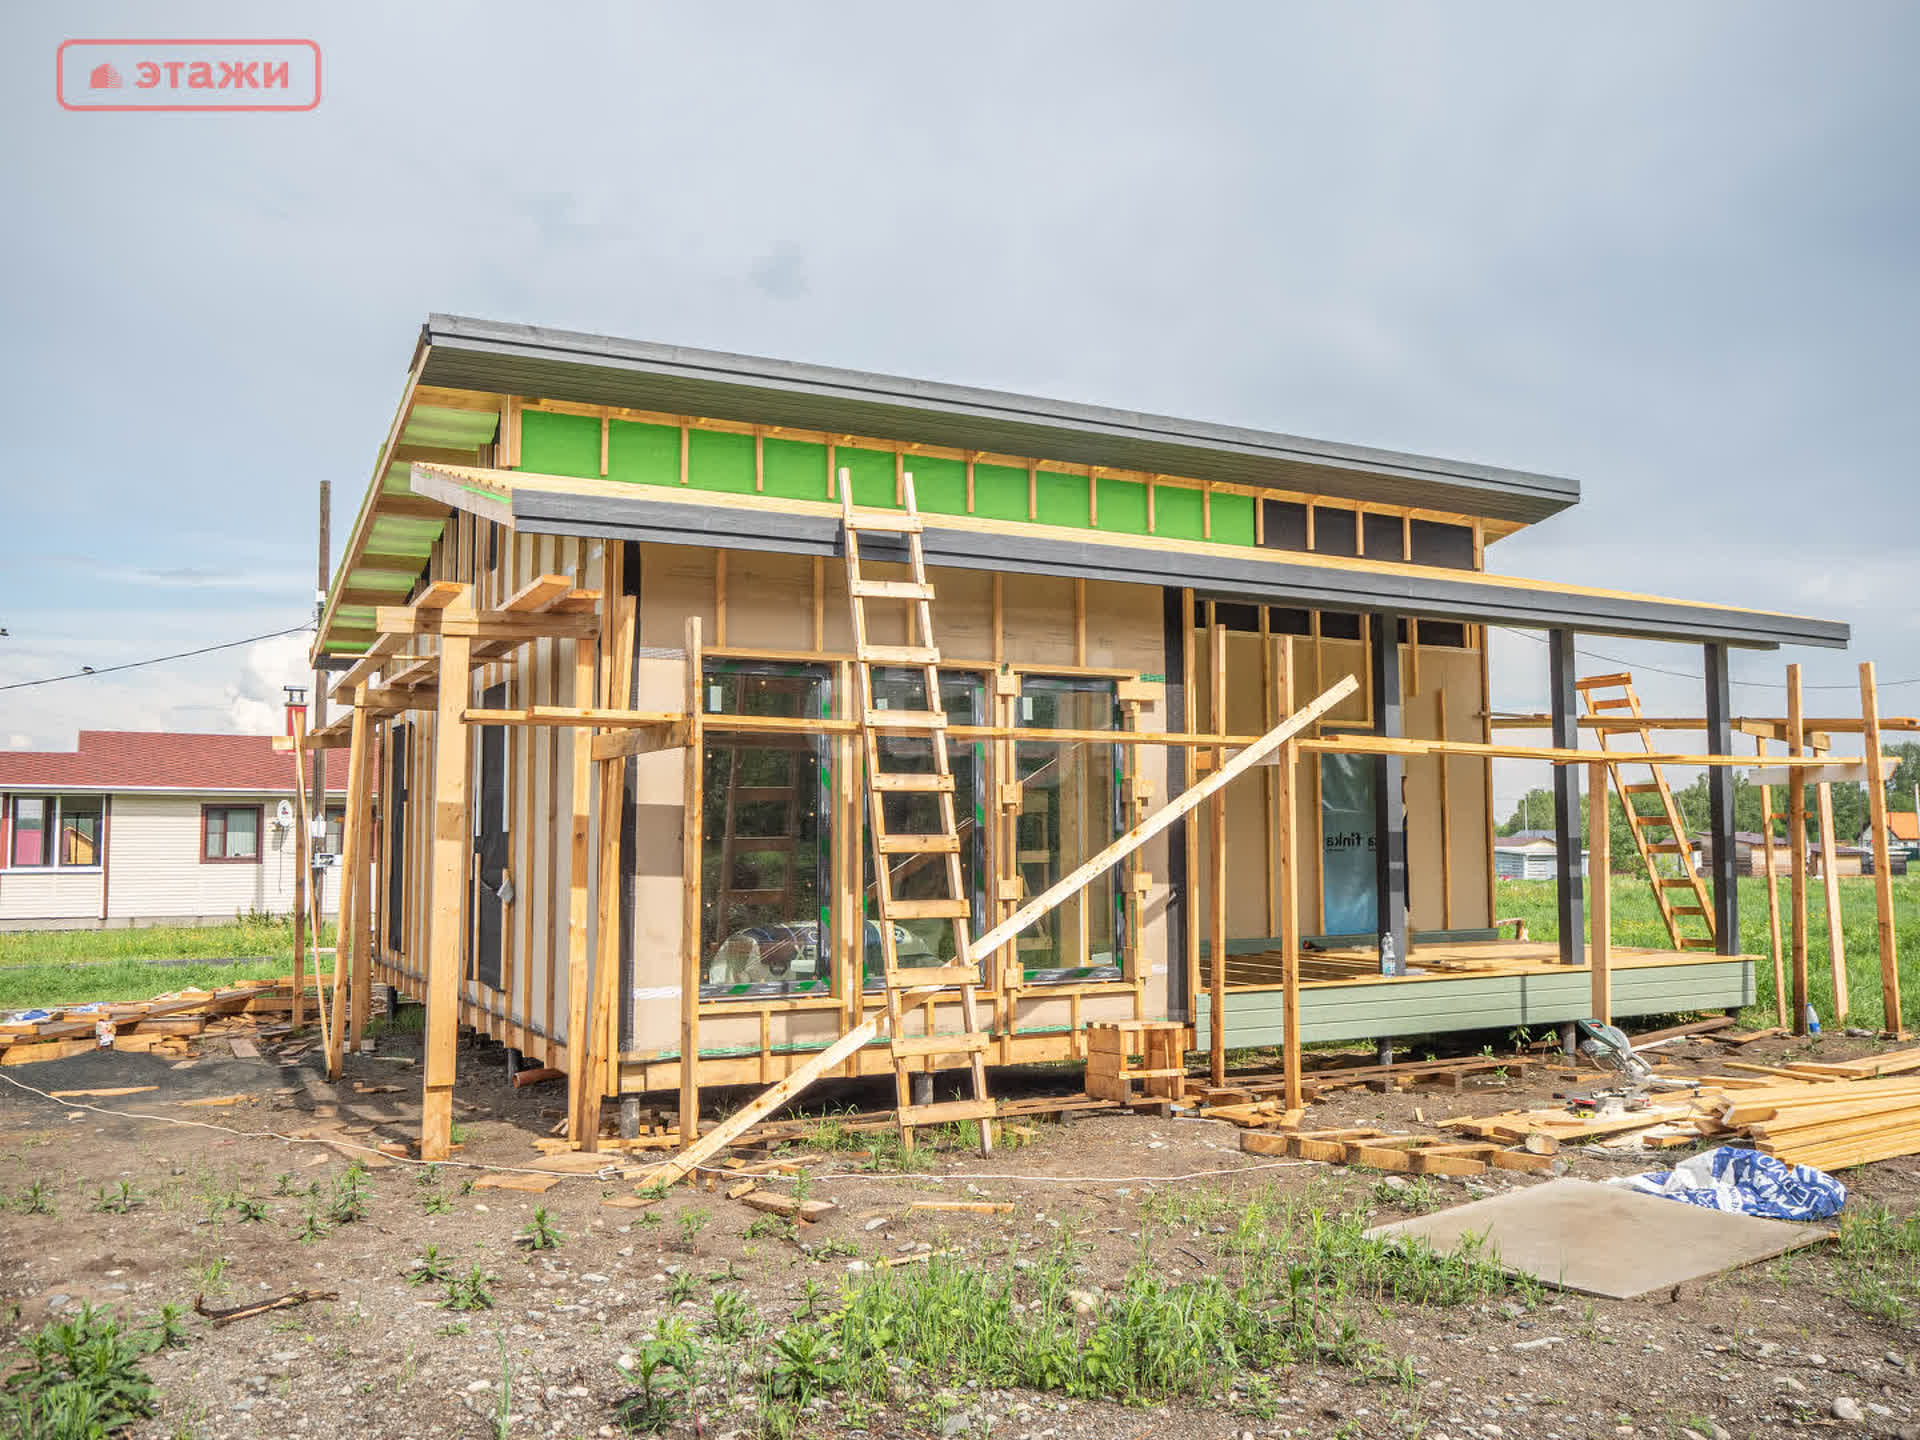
column 247, row 1011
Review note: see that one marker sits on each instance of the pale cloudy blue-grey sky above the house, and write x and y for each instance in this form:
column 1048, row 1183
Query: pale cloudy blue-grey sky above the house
column 1668, row 251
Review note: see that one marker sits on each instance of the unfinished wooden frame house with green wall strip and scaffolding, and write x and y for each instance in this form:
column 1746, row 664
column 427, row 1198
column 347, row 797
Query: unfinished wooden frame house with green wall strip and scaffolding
column 610, row 763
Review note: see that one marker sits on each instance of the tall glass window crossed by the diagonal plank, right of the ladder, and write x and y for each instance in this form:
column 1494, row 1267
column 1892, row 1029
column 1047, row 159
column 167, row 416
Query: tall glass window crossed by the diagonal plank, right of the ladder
column 1068, row 813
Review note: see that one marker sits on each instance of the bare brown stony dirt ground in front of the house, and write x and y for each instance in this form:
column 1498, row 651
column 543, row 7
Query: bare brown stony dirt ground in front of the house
column 1767, row 1351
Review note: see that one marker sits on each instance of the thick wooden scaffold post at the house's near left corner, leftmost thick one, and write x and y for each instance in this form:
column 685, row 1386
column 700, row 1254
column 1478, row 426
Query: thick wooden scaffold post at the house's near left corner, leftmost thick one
column 446, row 936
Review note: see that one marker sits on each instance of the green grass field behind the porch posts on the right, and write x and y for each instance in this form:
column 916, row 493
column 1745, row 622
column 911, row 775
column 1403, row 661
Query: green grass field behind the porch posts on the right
column 1637, row 923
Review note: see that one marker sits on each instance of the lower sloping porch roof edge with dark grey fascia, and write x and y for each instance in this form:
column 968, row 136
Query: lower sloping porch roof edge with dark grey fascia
column 535, row 504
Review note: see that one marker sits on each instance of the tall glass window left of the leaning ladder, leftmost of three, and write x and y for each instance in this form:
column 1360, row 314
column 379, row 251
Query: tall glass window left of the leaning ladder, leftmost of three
column 765, row 836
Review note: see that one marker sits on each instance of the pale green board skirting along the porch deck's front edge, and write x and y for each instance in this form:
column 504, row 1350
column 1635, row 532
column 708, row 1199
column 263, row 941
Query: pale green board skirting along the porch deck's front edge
column 1426, row 1007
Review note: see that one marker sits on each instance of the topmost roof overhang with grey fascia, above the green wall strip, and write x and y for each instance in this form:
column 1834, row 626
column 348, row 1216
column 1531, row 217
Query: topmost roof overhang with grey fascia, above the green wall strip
column 523, row 360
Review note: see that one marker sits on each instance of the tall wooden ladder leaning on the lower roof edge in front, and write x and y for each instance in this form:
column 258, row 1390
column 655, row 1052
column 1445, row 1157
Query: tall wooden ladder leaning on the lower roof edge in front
column 915, row 986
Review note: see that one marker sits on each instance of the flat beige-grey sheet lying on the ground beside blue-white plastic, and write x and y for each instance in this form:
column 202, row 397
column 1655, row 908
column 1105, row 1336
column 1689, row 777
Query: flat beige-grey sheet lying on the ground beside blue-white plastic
column 1606, row 1239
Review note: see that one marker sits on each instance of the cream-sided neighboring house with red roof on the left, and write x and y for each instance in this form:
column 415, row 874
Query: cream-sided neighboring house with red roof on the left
column 137, row 828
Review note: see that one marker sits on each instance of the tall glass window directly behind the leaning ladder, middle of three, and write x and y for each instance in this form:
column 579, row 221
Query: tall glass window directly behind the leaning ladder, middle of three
column 924, row 876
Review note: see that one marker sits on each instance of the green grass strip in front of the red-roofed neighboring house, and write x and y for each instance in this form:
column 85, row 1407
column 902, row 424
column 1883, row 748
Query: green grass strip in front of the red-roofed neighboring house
column 68, row 967
